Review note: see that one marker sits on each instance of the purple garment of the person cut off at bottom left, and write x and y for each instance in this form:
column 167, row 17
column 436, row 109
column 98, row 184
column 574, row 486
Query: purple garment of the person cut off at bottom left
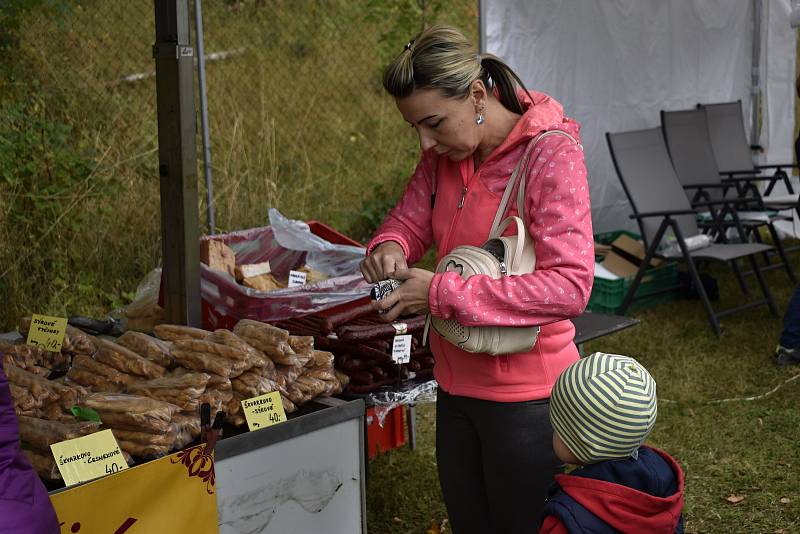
column 24, row 504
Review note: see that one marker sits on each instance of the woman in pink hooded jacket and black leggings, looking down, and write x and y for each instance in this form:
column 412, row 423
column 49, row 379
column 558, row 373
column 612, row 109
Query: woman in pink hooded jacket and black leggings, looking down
column 474, row 120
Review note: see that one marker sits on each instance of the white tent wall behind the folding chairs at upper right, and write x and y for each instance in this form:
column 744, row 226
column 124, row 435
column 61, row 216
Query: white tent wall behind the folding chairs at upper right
column 615, row 64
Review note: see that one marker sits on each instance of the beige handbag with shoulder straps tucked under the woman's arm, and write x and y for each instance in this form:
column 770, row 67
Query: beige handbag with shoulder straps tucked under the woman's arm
column 499, row 256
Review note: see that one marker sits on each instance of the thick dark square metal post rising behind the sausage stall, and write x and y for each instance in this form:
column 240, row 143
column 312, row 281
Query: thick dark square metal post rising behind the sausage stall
column 177, row 158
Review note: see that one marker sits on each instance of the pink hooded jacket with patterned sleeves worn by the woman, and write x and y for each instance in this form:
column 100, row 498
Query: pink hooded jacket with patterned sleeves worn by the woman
column 461, row 213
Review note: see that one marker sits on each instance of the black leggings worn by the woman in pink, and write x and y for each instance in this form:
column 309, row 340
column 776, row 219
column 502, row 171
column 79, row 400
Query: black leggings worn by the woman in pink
column 495, row 461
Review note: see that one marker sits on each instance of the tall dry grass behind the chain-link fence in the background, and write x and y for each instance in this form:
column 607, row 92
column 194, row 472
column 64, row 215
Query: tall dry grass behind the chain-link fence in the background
column 298, row 121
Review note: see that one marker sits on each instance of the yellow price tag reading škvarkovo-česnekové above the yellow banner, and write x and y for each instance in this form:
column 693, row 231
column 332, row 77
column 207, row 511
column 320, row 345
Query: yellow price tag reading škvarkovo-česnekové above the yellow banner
column 88, row 457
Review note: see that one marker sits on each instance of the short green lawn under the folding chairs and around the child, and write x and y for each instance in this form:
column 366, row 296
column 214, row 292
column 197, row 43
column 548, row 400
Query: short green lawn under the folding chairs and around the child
column 743, row 448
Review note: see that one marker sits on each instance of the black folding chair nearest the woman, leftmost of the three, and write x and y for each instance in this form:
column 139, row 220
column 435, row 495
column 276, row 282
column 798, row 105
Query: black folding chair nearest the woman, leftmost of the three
column 659, row 203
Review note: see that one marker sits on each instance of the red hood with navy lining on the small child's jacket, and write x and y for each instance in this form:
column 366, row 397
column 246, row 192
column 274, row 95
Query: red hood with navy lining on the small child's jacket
column 634, row 495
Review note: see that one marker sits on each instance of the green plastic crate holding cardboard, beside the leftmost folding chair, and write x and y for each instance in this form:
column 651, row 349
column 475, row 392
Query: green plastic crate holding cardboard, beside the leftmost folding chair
column 607, row 295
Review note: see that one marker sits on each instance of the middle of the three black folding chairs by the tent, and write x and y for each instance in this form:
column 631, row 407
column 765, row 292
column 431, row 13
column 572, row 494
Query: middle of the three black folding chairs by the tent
column 690, row 149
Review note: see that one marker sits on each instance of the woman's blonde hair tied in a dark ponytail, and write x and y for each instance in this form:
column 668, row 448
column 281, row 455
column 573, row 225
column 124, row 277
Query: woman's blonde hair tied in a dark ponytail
column 440, row 57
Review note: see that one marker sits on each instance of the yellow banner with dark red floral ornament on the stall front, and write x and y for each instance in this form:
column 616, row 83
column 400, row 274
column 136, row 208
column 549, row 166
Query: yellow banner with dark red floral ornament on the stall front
column 174, row 494
